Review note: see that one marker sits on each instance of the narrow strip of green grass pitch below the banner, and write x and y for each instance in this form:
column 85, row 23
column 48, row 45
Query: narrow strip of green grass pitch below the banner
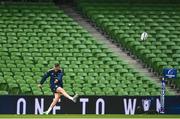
column 74, row 116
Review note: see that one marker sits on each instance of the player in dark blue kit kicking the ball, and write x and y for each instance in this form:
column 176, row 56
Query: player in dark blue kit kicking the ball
column 56, row 85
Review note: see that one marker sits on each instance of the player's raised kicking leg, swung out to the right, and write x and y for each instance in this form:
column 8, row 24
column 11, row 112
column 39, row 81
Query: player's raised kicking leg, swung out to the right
column 62, row 91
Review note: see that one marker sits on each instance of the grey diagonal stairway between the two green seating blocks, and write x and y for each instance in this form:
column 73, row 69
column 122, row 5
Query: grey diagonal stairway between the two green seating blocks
column 106, row 40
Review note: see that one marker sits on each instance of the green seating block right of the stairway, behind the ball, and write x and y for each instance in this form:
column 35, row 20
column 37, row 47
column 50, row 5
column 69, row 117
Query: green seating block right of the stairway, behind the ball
column 125, row 23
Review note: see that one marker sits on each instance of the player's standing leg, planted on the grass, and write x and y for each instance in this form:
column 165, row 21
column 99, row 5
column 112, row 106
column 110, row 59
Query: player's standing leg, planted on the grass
column 54, row 102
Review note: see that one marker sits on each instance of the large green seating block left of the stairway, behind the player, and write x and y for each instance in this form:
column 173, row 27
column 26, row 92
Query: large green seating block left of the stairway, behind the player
column 35, row 36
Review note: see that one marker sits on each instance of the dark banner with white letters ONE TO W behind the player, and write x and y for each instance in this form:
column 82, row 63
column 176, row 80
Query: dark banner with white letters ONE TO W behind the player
column 128, row 105
